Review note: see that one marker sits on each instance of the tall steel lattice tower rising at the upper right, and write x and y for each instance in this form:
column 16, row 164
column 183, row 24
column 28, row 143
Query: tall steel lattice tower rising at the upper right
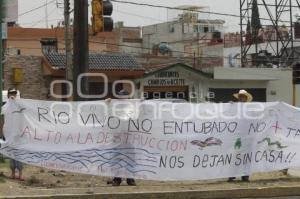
column 275, row 35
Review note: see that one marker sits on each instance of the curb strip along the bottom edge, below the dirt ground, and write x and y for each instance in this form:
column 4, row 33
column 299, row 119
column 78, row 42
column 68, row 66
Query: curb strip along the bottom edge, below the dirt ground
column 208, row 194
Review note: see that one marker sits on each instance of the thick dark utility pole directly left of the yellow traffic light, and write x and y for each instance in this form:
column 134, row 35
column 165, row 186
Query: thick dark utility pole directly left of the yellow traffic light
column 80, row 46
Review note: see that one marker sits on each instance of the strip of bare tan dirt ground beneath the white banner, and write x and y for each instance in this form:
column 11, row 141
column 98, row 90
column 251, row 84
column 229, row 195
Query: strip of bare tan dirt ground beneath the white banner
column 43, row 181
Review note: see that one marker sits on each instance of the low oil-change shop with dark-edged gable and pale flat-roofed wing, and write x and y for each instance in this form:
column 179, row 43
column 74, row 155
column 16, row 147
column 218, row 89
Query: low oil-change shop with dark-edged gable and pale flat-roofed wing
column 181, row 81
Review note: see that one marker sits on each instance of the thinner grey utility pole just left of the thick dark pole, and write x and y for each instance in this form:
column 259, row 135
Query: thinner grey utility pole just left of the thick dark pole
column 68, row 44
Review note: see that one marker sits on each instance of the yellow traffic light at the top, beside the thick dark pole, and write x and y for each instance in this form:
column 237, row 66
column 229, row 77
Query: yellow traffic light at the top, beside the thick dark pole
column 101, row 12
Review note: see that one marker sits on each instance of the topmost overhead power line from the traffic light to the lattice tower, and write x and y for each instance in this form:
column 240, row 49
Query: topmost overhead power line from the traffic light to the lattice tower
column 184, row 9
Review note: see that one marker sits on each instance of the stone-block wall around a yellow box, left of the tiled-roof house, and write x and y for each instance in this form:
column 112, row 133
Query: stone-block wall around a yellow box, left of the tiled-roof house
column 34, row 85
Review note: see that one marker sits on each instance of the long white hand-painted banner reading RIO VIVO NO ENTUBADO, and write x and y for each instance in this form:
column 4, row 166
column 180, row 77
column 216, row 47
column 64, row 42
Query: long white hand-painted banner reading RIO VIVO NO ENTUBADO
column 153, row 140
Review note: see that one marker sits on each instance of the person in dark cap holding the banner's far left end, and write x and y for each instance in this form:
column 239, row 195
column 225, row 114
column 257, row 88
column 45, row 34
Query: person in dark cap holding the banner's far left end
column 14, row 164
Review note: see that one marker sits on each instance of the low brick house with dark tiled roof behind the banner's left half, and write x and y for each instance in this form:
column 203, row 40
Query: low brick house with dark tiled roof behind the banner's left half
column 38, row 72
